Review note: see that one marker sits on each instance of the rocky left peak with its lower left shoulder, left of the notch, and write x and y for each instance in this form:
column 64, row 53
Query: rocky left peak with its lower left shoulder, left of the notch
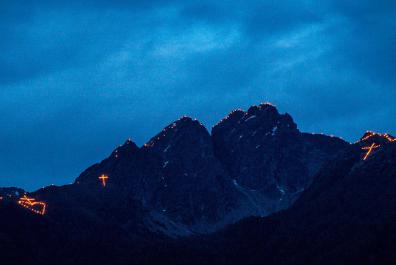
column 177, row 178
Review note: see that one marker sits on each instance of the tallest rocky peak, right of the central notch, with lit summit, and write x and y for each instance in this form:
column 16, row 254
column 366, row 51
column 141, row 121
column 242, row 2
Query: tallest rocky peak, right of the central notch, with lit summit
column 265, row 153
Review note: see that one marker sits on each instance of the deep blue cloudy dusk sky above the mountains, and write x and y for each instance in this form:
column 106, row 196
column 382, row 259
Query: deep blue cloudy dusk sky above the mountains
column 78, row 79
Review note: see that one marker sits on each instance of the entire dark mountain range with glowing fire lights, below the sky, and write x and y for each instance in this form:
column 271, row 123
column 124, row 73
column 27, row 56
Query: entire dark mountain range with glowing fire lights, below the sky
column 255, row 190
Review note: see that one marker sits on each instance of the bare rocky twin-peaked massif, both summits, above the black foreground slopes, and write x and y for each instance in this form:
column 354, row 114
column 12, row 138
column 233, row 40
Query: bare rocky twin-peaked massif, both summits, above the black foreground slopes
column 254, row 163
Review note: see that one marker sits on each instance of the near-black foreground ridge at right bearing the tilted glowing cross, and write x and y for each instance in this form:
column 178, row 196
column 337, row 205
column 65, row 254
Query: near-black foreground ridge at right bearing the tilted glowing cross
column 347, row 216
